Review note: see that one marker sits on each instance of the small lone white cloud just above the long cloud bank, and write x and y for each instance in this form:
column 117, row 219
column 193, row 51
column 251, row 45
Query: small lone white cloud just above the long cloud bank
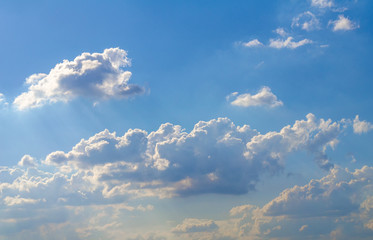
column 263, row 98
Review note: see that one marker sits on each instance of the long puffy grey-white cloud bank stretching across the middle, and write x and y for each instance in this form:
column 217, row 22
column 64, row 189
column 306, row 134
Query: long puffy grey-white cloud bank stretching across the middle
column 215, row 157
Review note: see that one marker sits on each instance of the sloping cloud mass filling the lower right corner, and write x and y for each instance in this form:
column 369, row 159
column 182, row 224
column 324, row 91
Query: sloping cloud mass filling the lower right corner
column 339, row 204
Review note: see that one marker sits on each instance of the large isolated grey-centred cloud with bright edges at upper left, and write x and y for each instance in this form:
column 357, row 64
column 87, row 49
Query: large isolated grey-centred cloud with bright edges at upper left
column 96, row 76
